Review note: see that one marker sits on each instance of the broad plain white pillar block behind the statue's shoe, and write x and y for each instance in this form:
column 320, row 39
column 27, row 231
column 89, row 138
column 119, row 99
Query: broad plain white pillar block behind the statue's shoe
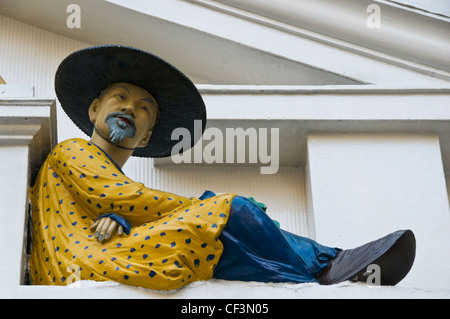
column 364, row 186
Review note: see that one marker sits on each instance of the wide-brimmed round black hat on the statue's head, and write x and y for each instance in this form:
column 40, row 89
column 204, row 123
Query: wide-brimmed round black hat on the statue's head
column 84, row 74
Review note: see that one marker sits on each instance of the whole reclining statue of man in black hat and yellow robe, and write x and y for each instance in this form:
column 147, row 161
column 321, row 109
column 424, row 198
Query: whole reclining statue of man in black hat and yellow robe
column 88, row 216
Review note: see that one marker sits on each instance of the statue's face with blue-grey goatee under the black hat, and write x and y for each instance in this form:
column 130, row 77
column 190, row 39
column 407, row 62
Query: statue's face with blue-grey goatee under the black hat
column 126, row 114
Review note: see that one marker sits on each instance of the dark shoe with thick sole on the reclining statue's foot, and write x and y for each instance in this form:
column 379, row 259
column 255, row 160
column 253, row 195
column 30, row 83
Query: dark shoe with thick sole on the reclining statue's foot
column 394, row 254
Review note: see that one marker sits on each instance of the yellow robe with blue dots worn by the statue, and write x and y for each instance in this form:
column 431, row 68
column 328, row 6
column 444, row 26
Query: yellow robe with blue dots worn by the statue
column 173, row 239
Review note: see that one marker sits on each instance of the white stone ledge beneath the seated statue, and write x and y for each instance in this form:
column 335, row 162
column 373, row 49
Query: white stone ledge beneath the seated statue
column 221, row 289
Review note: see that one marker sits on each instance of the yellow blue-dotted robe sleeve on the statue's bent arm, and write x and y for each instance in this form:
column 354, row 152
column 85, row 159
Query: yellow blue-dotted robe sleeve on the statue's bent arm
column 101, row 188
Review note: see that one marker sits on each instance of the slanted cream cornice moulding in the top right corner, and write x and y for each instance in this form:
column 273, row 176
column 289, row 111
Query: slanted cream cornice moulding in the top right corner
column 346, row 20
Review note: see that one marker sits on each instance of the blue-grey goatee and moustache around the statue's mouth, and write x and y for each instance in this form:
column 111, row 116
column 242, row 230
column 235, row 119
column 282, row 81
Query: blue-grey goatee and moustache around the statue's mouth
column 120, row 125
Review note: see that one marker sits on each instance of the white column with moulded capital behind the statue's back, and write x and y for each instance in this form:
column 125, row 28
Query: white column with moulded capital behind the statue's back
column 27, row 134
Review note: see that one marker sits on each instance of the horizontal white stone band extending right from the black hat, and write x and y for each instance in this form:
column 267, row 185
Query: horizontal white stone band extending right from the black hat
column 326, row 103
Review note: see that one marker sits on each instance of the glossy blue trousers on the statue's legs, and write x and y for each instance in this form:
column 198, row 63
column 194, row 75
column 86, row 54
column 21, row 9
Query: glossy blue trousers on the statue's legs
column 255, row 249
